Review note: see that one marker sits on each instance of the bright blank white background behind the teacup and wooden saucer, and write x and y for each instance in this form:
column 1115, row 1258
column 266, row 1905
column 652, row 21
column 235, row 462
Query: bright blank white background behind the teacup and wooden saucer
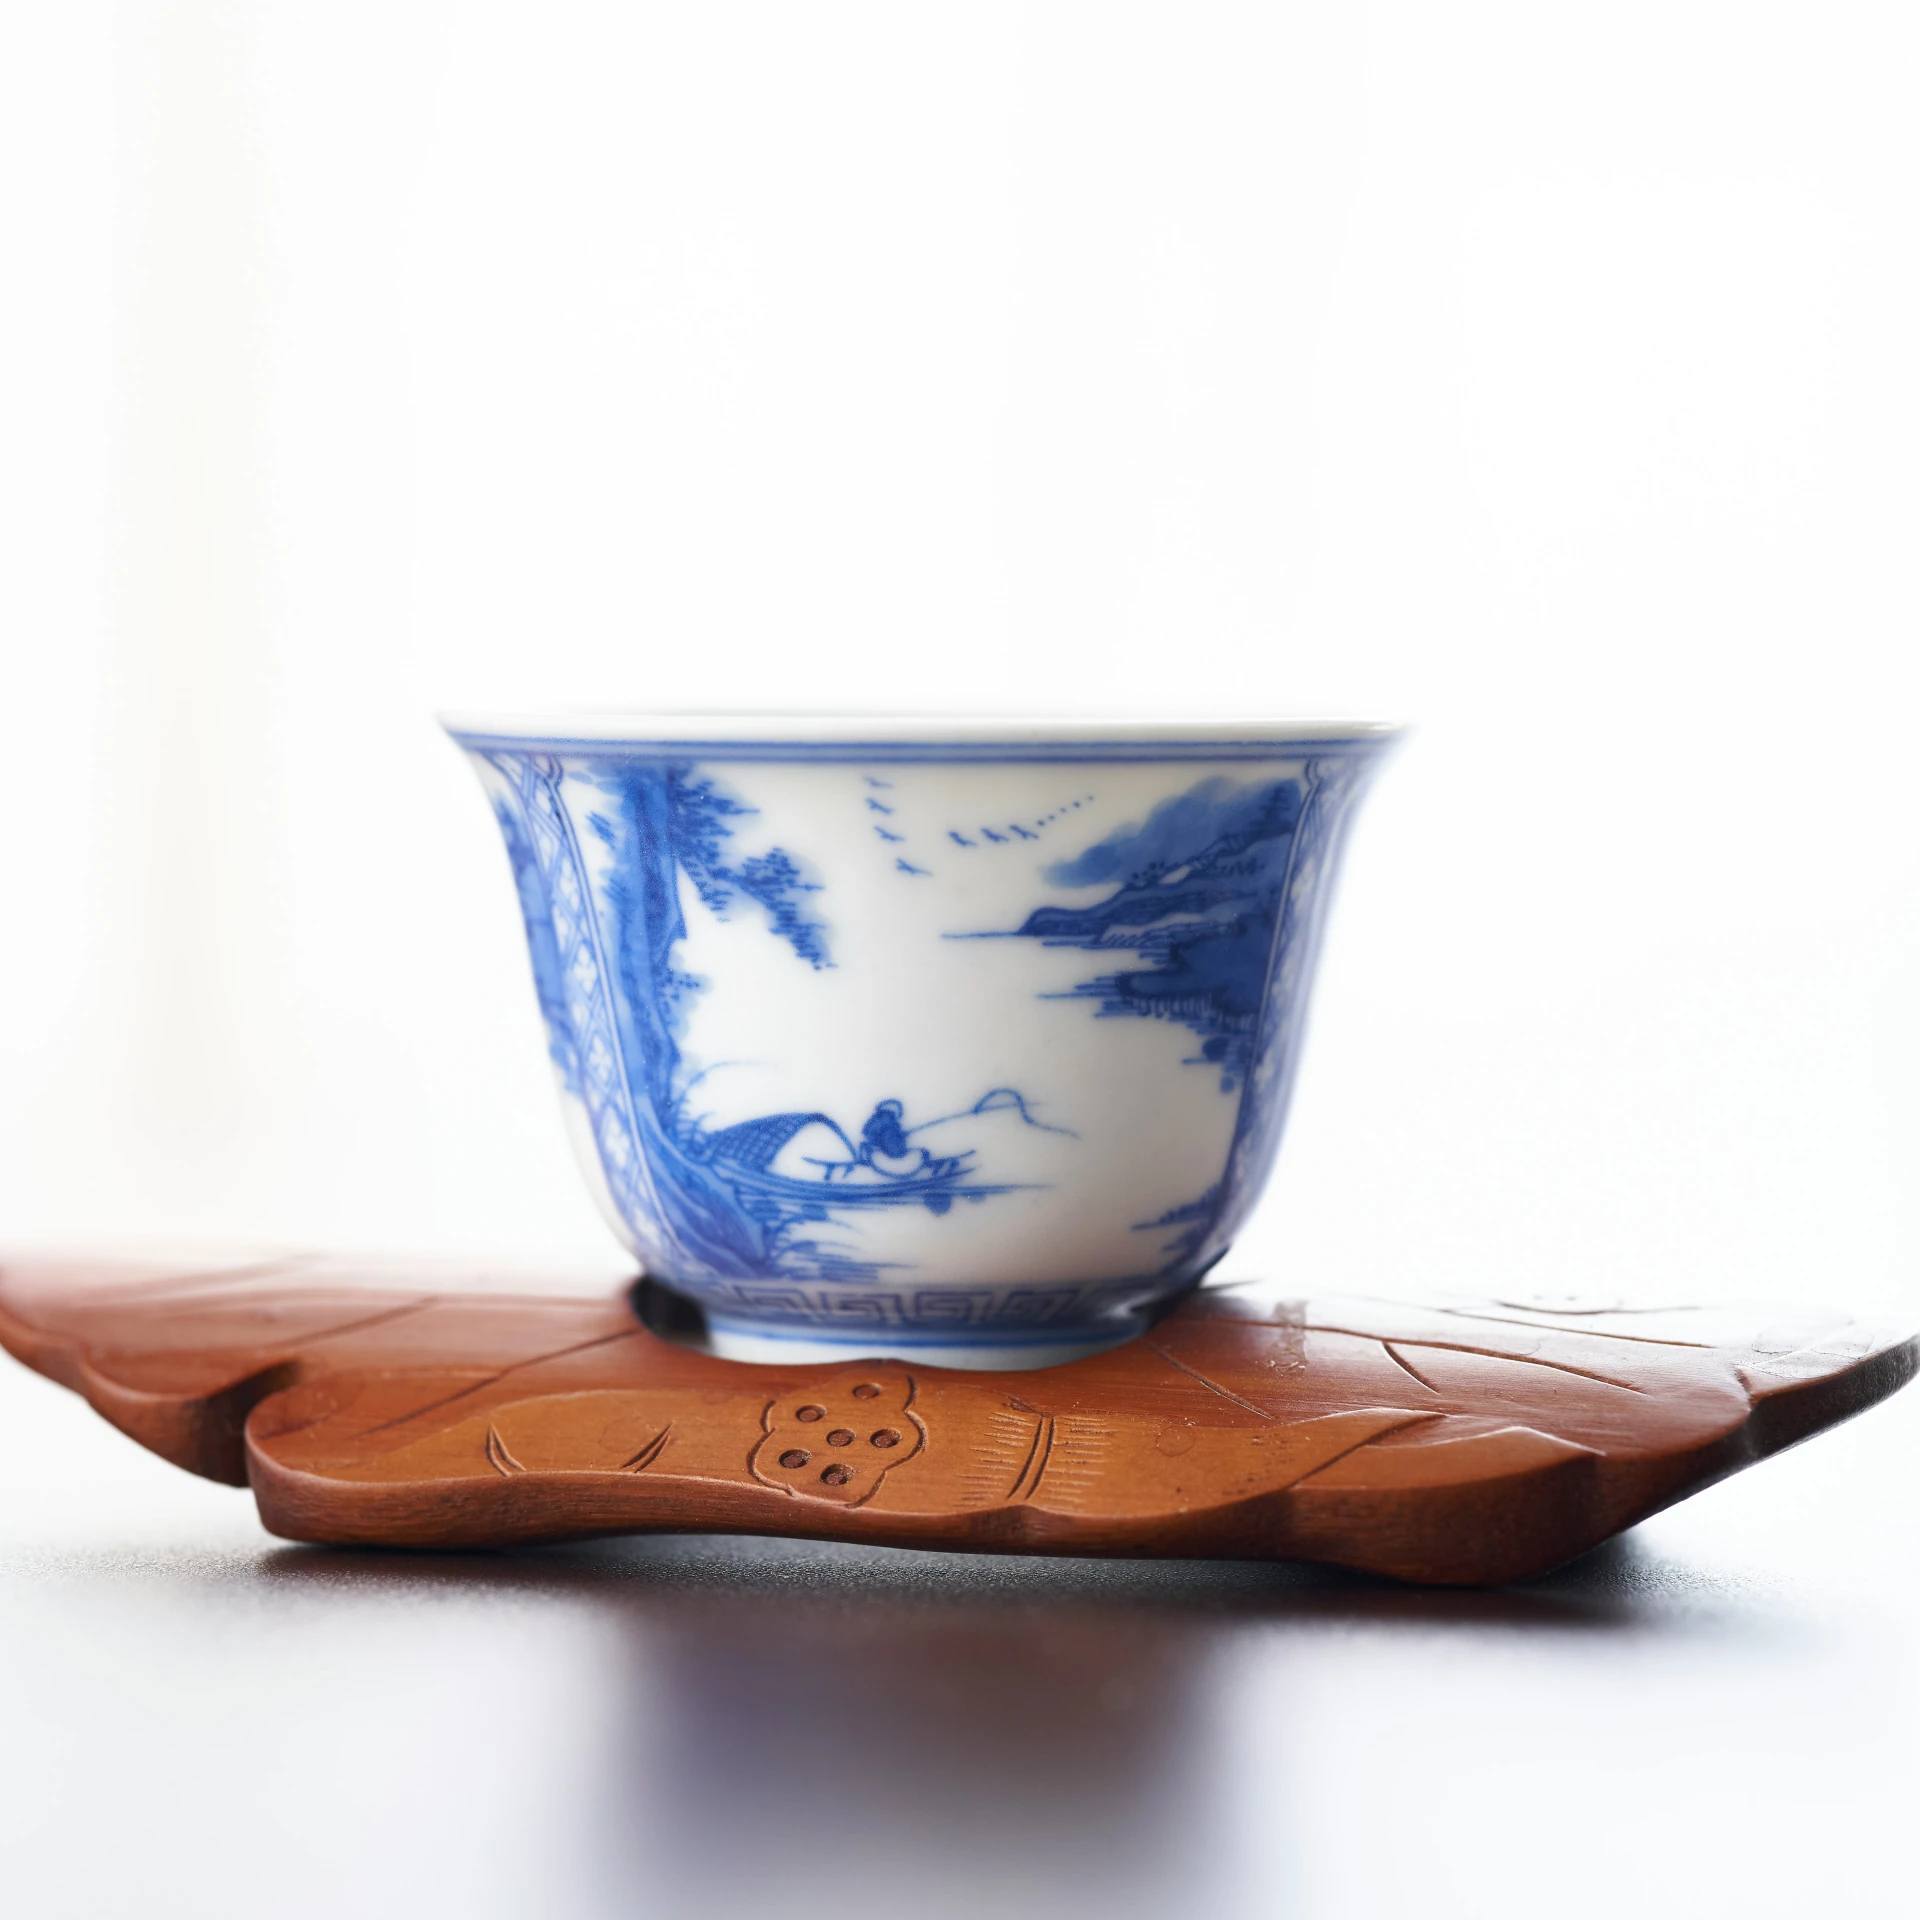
column 1539, row 373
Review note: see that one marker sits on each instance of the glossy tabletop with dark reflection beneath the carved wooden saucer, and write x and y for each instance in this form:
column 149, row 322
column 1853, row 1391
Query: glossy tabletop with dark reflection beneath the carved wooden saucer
column 1714, row 1716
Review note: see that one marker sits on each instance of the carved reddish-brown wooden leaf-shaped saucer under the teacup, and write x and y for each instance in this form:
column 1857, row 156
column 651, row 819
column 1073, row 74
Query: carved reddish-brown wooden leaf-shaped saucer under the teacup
column 1462, row 1443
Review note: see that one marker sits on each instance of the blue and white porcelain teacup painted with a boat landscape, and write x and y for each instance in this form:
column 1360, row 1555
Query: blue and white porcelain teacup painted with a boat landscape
column 951, row 1040
